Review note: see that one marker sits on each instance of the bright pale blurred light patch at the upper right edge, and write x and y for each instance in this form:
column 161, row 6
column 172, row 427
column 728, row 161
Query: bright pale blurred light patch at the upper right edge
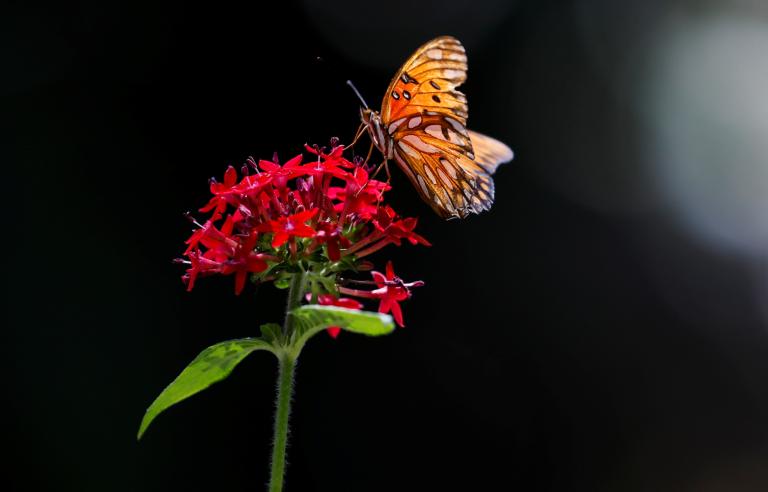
column 707, row 107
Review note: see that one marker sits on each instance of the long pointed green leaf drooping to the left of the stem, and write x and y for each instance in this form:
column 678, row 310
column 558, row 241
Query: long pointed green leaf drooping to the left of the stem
column 212, row 365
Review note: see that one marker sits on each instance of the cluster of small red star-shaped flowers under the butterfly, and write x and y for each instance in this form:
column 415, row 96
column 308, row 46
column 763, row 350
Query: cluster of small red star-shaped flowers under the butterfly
column 319, row 218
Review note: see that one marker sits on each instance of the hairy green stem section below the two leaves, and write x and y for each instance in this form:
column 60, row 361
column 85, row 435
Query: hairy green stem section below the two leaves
column 283, row 412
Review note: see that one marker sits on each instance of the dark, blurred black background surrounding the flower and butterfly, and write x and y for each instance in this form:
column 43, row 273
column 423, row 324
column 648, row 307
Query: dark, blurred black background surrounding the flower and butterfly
column 583, row 335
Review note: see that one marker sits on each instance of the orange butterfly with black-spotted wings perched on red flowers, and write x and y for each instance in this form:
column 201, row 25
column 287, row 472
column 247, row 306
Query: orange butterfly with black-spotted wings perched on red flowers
column 422, row 125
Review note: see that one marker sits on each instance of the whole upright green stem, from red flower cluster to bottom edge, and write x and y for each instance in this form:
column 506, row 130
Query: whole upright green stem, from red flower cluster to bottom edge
column 285, row 387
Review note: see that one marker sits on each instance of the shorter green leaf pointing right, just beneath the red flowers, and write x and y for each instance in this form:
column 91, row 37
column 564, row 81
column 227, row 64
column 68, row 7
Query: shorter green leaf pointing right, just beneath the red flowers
column 312, row 319
